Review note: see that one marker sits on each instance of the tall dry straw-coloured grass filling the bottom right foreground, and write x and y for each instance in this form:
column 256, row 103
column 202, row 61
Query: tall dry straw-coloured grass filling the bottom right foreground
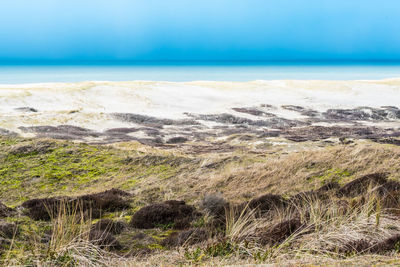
column 326, row 230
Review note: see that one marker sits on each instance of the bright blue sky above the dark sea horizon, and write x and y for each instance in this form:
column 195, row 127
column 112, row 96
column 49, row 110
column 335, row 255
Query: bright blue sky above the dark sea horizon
column 95, row 30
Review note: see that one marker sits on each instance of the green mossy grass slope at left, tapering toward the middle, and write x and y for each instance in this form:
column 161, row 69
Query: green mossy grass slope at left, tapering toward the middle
column 74, row 168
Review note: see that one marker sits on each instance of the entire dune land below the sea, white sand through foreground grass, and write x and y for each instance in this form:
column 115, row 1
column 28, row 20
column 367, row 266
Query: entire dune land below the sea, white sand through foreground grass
column 200, row 173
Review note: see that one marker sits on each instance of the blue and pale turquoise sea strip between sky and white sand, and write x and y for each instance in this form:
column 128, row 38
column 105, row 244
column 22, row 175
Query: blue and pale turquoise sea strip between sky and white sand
column 177, row 72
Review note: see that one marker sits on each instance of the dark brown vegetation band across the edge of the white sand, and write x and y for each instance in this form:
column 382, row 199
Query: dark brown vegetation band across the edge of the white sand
column 261, row 122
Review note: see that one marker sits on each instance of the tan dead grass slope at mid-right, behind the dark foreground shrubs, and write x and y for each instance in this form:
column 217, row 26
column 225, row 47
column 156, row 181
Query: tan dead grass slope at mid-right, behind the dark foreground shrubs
column 244, row 176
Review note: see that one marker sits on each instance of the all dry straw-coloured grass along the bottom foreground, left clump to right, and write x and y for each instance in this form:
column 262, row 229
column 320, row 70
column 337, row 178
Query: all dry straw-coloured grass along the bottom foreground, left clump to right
column 327, row 228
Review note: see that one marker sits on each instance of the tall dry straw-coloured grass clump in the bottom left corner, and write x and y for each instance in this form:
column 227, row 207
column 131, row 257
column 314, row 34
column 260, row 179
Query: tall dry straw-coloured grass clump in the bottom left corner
column 68, row 244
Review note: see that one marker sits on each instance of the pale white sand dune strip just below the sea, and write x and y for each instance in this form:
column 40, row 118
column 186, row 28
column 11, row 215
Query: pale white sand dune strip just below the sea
column 101, row 106
